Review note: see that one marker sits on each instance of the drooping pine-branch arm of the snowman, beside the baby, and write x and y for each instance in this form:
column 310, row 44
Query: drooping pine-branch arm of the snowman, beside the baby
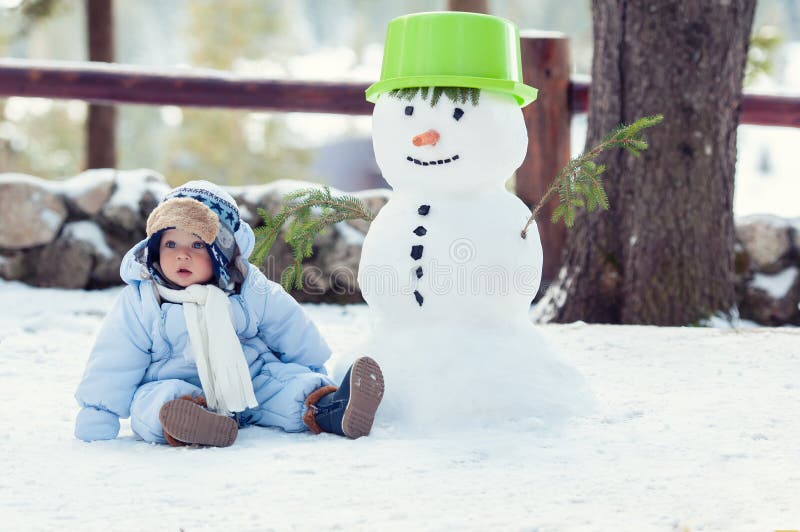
column 308, row 212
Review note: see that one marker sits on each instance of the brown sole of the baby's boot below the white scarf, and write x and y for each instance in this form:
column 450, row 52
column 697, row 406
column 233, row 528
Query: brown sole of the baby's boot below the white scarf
column 191, row 423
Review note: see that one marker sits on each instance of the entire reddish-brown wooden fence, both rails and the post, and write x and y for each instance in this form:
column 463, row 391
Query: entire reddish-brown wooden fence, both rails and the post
column 545, row 63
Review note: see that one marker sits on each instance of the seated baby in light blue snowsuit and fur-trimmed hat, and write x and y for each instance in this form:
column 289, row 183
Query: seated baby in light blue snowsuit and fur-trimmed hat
column 200, row 343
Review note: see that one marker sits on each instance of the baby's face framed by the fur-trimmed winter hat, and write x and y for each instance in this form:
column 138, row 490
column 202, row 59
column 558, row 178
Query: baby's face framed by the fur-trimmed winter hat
column 184, row 258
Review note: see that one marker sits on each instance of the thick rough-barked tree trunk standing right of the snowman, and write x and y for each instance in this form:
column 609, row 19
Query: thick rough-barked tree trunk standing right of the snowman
column 663, row 254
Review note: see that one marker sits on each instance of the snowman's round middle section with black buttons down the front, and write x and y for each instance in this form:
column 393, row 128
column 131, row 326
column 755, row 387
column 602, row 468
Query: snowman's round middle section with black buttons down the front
column 456, row 260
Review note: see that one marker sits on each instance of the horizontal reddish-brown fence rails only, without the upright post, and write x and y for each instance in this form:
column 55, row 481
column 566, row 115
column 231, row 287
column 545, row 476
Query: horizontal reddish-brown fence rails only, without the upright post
column 99, row 83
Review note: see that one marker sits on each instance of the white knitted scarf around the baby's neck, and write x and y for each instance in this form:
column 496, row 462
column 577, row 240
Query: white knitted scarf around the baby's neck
column 215, row 347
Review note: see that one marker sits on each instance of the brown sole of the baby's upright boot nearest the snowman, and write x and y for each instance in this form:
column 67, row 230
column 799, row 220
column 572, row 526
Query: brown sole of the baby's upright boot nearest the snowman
column 366, row 392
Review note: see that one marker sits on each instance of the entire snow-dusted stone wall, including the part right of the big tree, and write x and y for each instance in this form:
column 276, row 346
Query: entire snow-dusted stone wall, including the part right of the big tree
column 73, row 234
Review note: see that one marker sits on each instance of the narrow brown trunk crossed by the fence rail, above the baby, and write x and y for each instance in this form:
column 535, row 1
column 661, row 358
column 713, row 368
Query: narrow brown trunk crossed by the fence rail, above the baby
column 101, row 123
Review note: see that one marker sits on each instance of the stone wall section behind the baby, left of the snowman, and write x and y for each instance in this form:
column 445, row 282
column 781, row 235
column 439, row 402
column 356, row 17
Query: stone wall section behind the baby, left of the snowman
column 74, row 233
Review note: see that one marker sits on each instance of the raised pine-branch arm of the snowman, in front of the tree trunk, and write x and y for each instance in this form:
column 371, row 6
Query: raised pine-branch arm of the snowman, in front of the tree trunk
column 578, row 184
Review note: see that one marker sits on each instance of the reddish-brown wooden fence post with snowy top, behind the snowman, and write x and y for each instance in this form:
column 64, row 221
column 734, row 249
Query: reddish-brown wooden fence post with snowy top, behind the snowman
column 545, row 65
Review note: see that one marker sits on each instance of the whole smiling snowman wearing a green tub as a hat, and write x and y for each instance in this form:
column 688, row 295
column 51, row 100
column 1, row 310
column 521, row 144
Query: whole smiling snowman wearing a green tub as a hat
column 446, row 274
